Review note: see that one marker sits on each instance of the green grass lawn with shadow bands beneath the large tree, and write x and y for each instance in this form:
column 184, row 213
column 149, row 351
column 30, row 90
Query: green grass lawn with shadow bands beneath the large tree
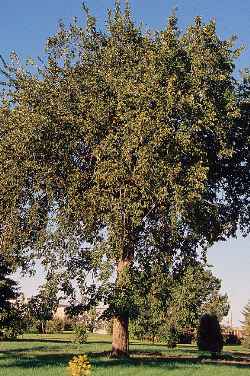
column 41, row 355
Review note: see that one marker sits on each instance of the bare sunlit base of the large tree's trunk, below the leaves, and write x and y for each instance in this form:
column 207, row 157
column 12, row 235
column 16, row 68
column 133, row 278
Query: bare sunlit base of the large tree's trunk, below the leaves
column 120, row 336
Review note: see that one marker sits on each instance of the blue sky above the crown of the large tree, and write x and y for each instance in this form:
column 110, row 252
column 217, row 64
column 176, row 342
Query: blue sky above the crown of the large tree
column 26, row 24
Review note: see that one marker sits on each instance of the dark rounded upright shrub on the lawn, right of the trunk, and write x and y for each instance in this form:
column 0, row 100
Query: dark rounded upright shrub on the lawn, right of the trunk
column 209, row 337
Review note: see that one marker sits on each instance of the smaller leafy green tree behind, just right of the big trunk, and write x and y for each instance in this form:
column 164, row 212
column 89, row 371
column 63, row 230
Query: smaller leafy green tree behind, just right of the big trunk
column 169, row 303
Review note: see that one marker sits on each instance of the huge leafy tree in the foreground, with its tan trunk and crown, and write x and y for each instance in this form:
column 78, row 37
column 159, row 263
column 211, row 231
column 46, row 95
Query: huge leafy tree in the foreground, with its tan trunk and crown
column 124, row 141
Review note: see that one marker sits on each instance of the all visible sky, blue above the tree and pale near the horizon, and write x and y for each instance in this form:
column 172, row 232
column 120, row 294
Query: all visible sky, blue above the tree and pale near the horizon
column 25, row 26
